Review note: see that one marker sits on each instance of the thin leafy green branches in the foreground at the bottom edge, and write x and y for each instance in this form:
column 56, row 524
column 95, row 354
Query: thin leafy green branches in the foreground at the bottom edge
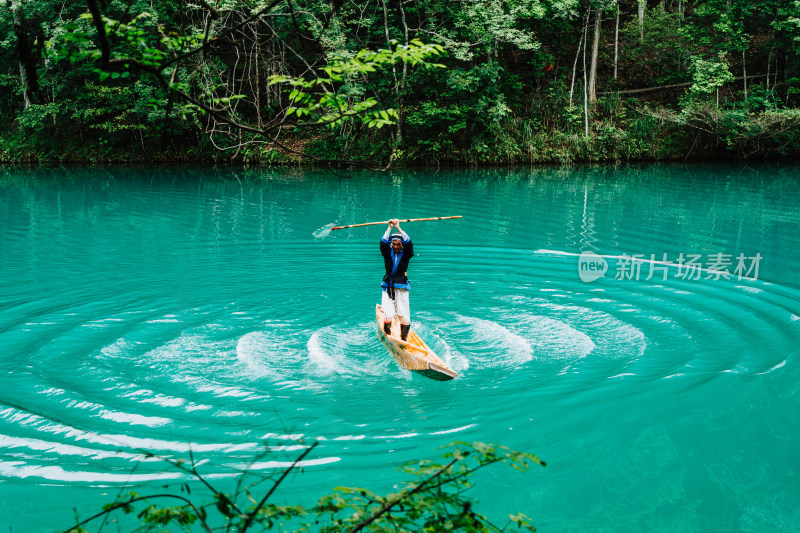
column 433, row 500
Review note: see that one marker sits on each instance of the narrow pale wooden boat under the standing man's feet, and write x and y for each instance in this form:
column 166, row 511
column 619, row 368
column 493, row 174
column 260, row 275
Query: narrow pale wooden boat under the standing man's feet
column 412, row 354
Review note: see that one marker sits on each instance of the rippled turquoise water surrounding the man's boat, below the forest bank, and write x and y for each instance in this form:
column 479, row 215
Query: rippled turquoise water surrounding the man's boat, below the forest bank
column 165, row 311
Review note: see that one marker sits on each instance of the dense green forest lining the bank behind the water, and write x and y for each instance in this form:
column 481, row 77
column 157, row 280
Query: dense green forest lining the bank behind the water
column 383, row 83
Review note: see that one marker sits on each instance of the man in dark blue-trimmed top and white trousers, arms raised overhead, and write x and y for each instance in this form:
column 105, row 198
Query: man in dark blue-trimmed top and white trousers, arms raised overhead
column 397, row 251
